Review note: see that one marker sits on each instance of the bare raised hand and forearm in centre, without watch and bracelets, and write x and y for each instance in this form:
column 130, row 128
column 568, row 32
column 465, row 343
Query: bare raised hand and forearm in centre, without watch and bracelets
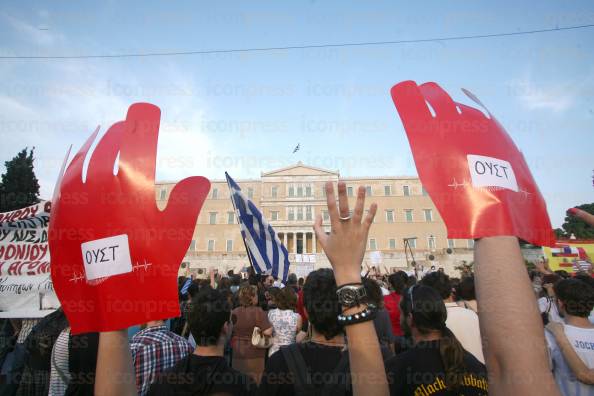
column 345, row 248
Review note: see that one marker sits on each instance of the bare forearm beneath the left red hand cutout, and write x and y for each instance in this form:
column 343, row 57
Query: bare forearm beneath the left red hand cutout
column 115, row 372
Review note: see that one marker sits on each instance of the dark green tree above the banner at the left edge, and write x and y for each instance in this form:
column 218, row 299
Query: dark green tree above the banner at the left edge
column 19, row 187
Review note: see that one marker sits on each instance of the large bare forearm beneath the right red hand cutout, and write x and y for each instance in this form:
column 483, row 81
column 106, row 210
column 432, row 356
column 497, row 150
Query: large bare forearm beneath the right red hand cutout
column 512, row 330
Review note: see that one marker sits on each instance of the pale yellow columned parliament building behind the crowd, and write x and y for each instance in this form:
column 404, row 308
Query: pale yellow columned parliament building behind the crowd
column 292, row 197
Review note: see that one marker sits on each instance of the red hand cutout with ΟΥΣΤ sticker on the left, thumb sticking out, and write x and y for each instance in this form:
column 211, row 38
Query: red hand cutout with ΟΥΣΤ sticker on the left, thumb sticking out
column 114, row 254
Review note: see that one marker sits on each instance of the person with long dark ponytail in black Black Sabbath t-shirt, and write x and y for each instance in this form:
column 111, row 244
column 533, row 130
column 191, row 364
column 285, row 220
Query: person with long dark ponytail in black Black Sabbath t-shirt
column 437, row 364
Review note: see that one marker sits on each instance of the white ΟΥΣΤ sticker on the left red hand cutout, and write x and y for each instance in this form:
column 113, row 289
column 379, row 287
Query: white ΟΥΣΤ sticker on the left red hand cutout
column 106, row 257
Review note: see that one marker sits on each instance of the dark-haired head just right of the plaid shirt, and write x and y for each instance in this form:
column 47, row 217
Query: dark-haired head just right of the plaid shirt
column 208, row 318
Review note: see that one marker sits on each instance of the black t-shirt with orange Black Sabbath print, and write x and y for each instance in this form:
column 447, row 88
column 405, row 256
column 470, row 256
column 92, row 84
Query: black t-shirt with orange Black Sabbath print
column 419, row 372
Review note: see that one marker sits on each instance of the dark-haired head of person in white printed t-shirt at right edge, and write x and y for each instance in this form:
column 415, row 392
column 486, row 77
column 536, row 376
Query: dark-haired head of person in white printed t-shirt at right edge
column 575, row 297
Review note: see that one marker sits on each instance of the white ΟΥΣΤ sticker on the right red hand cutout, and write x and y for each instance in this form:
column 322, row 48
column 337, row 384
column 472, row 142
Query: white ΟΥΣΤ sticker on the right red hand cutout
column 491, row 172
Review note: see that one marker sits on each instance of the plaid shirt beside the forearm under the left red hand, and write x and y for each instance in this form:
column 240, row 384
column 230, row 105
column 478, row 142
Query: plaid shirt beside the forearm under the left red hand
column 154, row 350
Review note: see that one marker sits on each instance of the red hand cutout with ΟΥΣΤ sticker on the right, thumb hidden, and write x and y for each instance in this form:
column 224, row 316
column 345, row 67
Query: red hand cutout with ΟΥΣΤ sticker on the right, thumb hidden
column 471, row 168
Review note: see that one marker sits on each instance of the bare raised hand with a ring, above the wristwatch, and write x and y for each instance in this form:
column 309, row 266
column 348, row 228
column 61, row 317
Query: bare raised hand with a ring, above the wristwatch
column 346, row 243
